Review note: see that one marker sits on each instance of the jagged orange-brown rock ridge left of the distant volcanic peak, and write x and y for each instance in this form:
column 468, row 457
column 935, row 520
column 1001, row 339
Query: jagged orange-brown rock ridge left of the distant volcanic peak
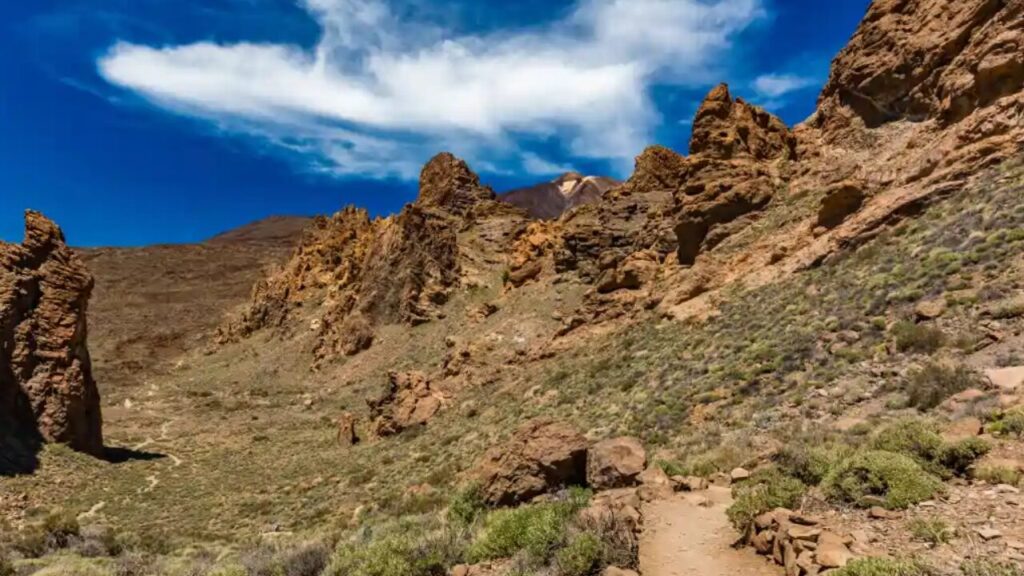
column 364, row 273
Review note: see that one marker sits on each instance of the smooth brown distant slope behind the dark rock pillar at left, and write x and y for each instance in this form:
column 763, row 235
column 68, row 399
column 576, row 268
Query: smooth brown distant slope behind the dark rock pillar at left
column 152, row 305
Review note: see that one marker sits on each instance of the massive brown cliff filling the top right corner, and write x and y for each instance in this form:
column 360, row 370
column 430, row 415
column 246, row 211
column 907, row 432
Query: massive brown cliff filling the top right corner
column 922, row 60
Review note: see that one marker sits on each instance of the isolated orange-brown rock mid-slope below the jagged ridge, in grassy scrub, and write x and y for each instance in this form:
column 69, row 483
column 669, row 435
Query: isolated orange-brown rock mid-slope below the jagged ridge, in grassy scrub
column 409, row 401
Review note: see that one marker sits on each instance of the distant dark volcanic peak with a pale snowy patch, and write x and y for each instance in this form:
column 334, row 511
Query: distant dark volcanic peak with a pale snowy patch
column 551, row 200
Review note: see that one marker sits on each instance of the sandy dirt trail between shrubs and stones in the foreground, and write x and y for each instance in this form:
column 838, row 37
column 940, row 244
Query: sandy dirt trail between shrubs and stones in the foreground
column 690, row 536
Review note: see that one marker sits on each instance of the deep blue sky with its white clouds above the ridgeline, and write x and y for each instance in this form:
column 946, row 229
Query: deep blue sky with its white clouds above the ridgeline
column 135, row 122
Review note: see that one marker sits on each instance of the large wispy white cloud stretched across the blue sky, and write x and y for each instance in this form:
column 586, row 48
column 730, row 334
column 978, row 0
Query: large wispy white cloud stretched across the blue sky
column 377, row 97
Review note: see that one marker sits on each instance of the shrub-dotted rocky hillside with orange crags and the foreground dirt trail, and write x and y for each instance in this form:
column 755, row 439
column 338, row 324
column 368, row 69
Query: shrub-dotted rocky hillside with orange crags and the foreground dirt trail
column 806, row 340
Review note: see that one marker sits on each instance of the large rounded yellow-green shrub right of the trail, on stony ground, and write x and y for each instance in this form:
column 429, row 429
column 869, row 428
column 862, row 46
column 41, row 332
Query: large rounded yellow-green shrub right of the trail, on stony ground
column 897, row 480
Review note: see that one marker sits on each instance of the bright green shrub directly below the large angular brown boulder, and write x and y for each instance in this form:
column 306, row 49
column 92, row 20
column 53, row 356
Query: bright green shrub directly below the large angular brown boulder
column 535, row 530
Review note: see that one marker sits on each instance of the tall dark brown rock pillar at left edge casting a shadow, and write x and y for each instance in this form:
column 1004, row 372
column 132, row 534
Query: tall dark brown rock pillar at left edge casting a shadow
column 47, row 384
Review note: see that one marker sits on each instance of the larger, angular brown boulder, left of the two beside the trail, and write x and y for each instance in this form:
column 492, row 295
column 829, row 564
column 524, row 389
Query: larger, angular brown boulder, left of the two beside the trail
column 541, row 458
